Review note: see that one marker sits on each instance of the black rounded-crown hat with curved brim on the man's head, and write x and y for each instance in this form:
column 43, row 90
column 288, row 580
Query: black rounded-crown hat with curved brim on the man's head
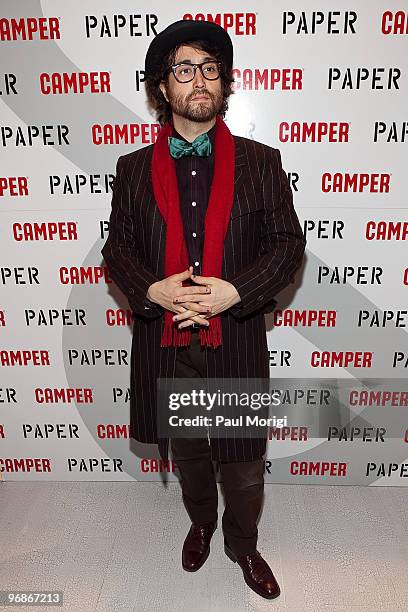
column 183, row 31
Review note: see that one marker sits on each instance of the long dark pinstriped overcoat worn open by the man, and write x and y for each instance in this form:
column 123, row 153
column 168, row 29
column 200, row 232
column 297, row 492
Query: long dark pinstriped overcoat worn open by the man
column 263, row 249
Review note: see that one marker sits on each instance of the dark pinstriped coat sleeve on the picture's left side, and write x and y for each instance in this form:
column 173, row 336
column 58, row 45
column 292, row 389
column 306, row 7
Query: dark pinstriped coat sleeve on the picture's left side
column 121, row 254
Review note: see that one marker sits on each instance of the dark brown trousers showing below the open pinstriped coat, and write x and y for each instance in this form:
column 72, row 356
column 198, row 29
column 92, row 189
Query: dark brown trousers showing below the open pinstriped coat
column 243, row 481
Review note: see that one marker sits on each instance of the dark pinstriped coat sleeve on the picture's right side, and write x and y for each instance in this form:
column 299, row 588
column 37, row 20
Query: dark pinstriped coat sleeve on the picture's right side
column 282, row 245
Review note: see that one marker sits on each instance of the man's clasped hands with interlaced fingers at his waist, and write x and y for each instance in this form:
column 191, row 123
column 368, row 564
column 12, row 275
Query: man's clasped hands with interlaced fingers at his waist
column 194, row 303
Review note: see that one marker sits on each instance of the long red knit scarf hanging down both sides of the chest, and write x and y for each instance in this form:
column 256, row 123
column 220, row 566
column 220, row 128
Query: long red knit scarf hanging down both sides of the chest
column 217, row 217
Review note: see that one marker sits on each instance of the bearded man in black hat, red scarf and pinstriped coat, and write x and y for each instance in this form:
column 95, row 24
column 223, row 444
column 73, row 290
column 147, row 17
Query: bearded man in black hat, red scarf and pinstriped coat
column 203, row 234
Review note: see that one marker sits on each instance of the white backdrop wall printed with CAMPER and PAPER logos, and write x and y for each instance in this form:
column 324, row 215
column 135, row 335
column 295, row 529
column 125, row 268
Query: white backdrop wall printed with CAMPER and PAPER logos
column 326, row 84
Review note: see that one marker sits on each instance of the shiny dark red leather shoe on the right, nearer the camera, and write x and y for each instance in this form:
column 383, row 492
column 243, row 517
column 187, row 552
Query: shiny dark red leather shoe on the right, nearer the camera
column 257, row 573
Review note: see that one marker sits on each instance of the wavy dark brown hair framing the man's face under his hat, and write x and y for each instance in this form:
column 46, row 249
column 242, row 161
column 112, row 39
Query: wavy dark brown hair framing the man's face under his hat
column 158, row 102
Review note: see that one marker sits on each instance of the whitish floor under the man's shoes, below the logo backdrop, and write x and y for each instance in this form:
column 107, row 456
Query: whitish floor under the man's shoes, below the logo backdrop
column 117, row 546
